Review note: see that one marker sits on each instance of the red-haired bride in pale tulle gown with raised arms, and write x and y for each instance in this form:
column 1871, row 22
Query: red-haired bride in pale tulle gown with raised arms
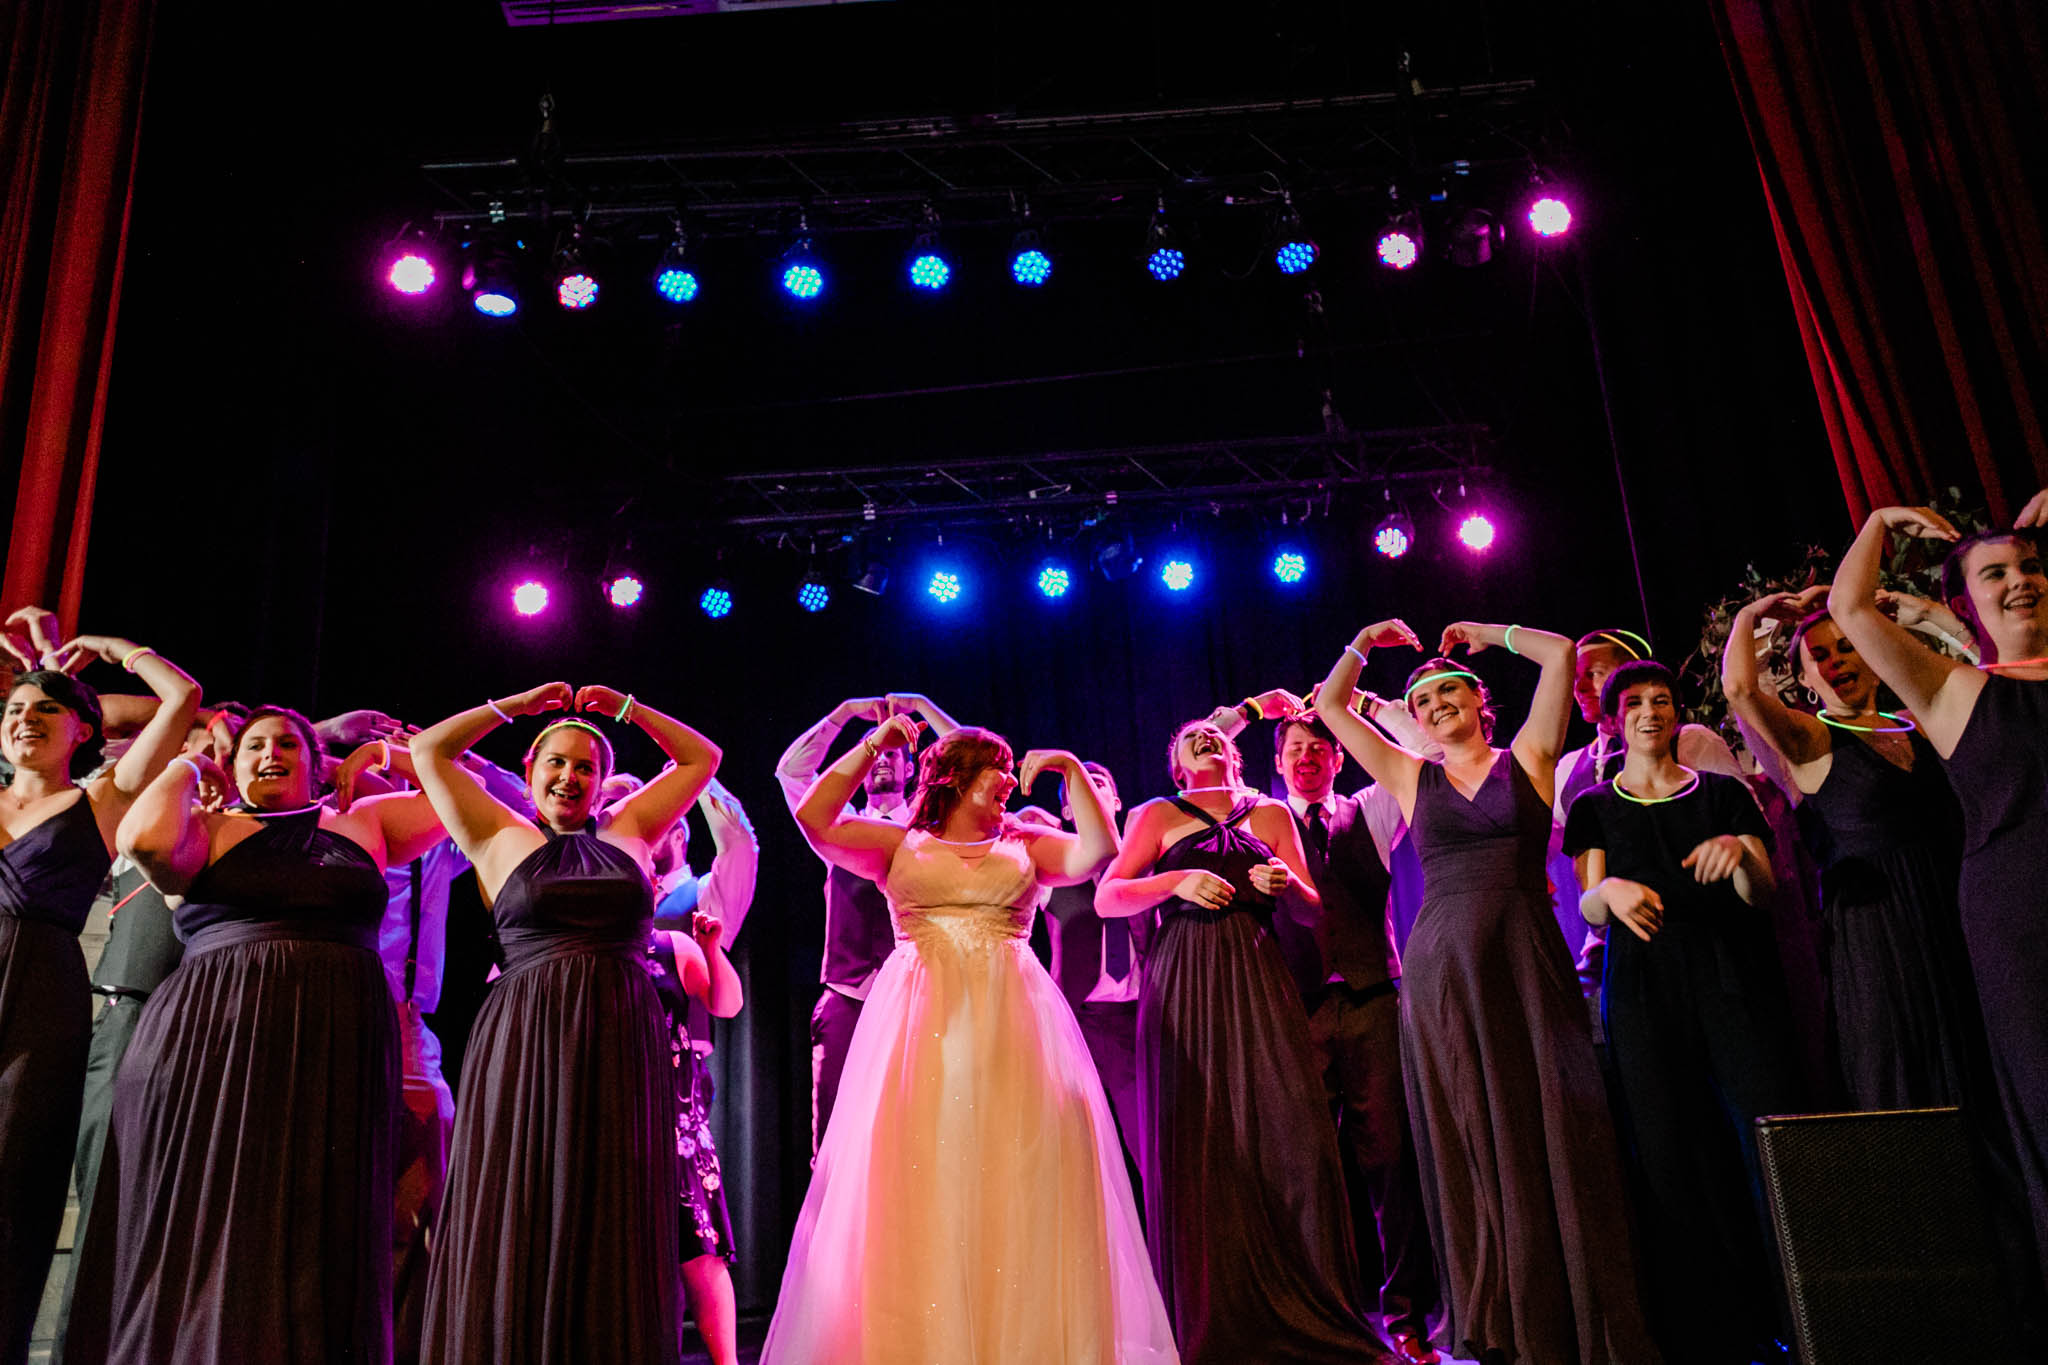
column 970, row 1202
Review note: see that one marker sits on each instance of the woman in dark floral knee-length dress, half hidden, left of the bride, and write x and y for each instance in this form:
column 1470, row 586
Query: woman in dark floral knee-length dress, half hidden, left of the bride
column 691, row 969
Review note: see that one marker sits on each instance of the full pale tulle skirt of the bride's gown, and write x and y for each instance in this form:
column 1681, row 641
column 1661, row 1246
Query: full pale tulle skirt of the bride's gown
column 970, row 1202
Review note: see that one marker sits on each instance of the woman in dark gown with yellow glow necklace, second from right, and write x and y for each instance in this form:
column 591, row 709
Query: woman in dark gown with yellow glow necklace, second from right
column 1887, row 832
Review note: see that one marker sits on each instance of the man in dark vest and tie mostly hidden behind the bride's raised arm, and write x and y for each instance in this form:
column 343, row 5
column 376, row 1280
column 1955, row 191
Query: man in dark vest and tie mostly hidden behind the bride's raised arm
column 1097, row 969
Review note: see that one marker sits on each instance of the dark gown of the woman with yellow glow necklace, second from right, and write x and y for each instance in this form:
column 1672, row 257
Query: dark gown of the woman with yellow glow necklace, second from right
column 1904, row 1022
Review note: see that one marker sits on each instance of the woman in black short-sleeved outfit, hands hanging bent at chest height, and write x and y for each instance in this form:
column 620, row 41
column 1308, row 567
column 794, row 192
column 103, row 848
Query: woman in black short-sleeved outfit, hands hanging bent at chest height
column 1697, row 1018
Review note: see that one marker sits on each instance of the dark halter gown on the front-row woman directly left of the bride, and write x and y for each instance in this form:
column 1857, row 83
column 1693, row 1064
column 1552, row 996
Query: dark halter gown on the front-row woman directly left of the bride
column 558, row 1237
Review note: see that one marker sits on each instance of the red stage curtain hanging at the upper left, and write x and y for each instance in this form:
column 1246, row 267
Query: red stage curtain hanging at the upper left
column 71, row 103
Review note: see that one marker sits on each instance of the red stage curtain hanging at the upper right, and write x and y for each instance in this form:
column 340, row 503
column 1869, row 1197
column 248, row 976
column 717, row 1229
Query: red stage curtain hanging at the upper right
column 1906, row 159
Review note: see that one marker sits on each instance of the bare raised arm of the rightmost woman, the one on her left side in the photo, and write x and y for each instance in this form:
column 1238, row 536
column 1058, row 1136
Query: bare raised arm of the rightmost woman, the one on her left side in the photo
column 1938, row 691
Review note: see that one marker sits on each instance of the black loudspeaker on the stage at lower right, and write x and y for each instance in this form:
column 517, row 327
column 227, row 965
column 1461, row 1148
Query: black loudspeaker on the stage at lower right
column 1883, row 1231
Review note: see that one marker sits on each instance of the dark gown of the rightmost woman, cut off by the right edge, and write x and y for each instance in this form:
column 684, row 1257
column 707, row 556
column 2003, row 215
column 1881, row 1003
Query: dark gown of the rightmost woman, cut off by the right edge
column 2002, row 777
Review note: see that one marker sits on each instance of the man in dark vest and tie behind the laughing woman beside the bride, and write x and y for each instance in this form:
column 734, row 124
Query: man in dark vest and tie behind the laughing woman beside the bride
column 1351, row 985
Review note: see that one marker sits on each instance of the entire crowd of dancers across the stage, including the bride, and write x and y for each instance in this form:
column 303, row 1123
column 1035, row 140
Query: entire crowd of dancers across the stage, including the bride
column 1310, row 1080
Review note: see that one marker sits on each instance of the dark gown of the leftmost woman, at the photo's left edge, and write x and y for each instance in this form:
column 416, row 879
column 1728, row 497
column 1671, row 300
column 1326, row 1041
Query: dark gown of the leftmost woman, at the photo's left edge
column 48, row 881
